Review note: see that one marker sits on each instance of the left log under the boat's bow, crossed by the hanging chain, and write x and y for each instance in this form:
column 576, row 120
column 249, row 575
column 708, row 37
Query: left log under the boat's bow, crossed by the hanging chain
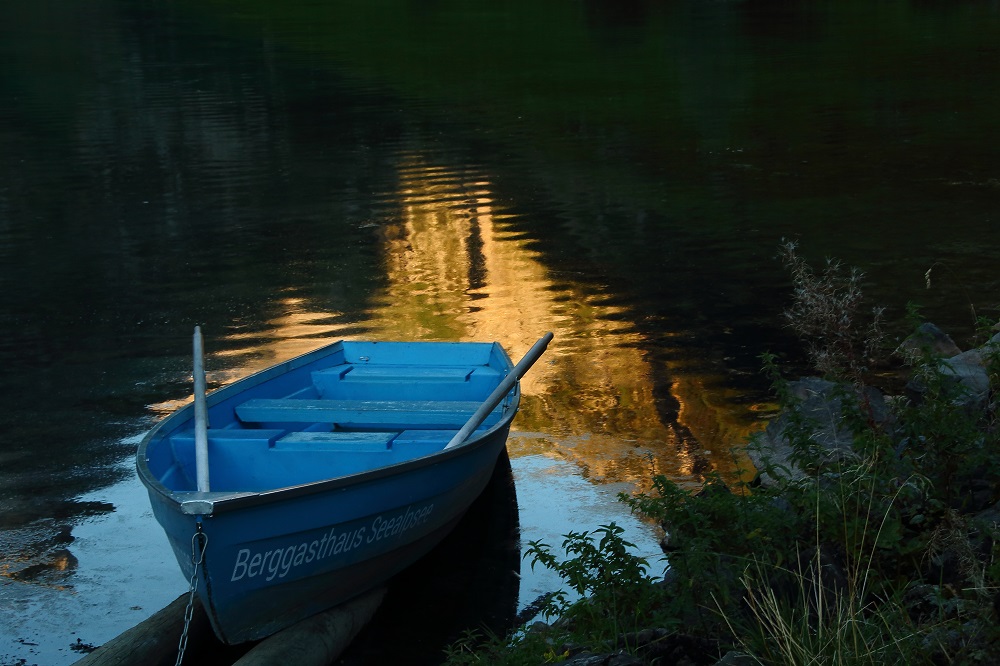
column 154, row 640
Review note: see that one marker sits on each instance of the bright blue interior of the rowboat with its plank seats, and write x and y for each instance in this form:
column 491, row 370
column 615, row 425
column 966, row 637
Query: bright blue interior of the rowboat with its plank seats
column 349, row 419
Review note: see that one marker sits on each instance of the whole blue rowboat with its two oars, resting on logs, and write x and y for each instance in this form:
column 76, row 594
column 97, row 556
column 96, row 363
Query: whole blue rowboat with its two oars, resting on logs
column 306, row 484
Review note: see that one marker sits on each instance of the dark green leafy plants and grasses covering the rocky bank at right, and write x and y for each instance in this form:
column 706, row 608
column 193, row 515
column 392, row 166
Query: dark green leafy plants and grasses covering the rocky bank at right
column 873, row 540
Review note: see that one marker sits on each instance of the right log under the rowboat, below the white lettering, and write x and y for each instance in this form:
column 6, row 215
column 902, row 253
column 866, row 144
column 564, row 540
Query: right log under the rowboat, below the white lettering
column 316, row 640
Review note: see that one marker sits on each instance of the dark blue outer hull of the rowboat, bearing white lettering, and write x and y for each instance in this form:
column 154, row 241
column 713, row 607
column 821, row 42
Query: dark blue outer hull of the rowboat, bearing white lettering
column 274, row 556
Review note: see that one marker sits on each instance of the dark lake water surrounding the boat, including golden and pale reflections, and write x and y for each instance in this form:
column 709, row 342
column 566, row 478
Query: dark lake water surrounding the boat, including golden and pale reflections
column 284, row 174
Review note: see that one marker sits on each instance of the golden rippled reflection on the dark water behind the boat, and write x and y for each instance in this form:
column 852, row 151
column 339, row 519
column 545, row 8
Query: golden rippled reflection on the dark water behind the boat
column 456, row 271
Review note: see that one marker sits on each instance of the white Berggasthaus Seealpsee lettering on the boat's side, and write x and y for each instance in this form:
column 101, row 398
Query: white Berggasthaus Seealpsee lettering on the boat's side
column 279, row 562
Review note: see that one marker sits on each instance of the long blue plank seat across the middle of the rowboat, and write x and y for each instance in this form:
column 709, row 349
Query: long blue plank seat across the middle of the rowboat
column 406, row 413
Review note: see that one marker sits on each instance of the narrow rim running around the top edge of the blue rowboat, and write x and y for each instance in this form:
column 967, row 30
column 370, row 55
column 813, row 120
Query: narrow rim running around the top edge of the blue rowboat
column 211, row 503
